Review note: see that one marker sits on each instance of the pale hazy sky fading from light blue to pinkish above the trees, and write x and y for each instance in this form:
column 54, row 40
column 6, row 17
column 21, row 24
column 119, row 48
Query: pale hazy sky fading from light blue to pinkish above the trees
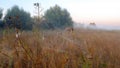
column 102, row 12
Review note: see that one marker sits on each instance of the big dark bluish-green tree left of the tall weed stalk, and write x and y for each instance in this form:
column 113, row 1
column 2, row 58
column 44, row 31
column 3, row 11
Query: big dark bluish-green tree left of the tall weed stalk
column 18, row 18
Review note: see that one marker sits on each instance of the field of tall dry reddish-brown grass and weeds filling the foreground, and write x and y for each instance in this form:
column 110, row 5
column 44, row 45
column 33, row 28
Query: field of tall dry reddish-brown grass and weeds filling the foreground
column 60, row 49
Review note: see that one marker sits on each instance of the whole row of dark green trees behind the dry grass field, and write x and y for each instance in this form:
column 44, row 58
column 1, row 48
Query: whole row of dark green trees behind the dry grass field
column 54, row 18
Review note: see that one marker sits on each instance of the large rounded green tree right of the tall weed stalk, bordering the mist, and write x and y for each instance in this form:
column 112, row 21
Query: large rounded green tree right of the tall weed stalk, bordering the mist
column 58, row 18
